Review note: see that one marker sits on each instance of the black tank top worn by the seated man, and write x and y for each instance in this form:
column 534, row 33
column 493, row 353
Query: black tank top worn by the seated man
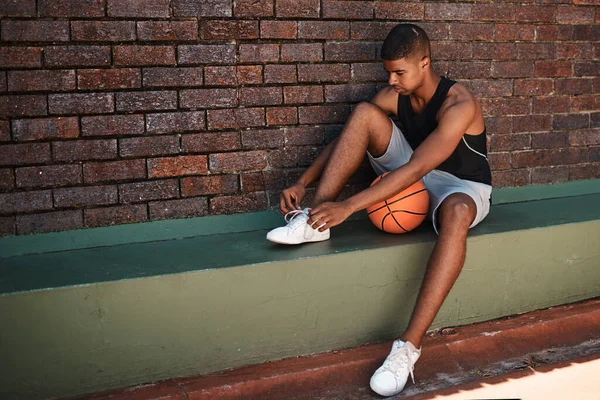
column 469, row 159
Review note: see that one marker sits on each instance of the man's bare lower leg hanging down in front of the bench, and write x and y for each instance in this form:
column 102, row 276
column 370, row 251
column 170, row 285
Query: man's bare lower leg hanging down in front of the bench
column 456, row 213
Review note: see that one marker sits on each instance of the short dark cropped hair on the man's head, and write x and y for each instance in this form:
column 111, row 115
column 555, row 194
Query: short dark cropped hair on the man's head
column 403, row 41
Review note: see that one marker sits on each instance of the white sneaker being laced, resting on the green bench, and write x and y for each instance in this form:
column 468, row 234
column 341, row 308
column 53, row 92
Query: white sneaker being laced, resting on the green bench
column 297, row 230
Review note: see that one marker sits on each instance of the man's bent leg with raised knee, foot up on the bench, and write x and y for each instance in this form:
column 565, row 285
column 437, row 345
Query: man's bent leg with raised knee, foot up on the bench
column 367, row 128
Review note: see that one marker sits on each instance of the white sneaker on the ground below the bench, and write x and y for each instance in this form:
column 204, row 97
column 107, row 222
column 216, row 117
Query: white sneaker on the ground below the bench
column 390, row 378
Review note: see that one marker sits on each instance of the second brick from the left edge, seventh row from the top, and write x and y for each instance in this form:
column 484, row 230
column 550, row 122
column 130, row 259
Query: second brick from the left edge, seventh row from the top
column 84, row 150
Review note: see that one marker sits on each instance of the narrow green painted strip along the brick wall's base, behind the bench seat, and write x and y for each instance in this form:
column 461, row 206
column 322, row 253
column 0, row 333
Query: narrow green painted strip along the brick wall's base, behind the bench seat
column 223, row 224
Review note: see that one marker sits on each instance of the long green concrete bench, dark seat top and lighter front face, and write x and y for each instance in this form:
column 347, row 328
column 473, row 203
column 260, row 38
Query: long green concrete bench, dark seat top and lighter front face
column 91, row 319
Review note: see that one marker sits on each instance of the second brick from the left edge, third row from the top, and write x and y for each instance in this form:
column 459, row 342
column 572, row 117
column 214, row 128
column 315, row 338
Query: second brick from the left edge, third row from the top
column 77, row 56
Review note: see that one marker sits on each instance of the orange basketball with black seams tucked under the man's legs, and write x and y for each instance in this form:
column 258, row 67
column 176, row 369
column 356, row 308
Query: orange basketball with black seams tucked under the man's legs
column 402, row 212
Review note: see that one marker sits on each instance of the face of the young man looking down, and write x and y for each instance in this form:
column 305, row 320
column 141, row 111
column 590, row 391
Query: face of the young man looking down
column 405, row 75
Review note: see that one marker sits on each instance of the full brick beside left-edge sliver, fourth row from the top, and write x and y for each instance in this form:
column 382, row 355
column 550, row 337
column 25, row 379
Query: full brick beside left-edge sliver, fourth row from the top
column 44, row 80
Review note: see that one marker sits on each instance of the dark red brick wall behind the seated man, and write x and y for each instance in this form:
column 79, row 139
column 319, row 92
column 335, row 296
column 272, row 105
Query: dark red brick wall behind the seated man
column 120, row 111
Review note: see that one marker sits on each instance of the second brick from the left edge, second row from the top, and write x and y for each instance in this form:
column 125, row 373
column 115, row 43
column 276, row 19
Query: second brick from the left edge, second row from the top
column 103, row 31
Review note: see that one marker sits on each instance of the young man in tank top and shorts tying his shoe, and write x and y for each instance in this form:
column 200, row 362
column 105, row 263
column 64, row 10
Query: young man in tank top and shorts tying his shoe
column 441, row 139
